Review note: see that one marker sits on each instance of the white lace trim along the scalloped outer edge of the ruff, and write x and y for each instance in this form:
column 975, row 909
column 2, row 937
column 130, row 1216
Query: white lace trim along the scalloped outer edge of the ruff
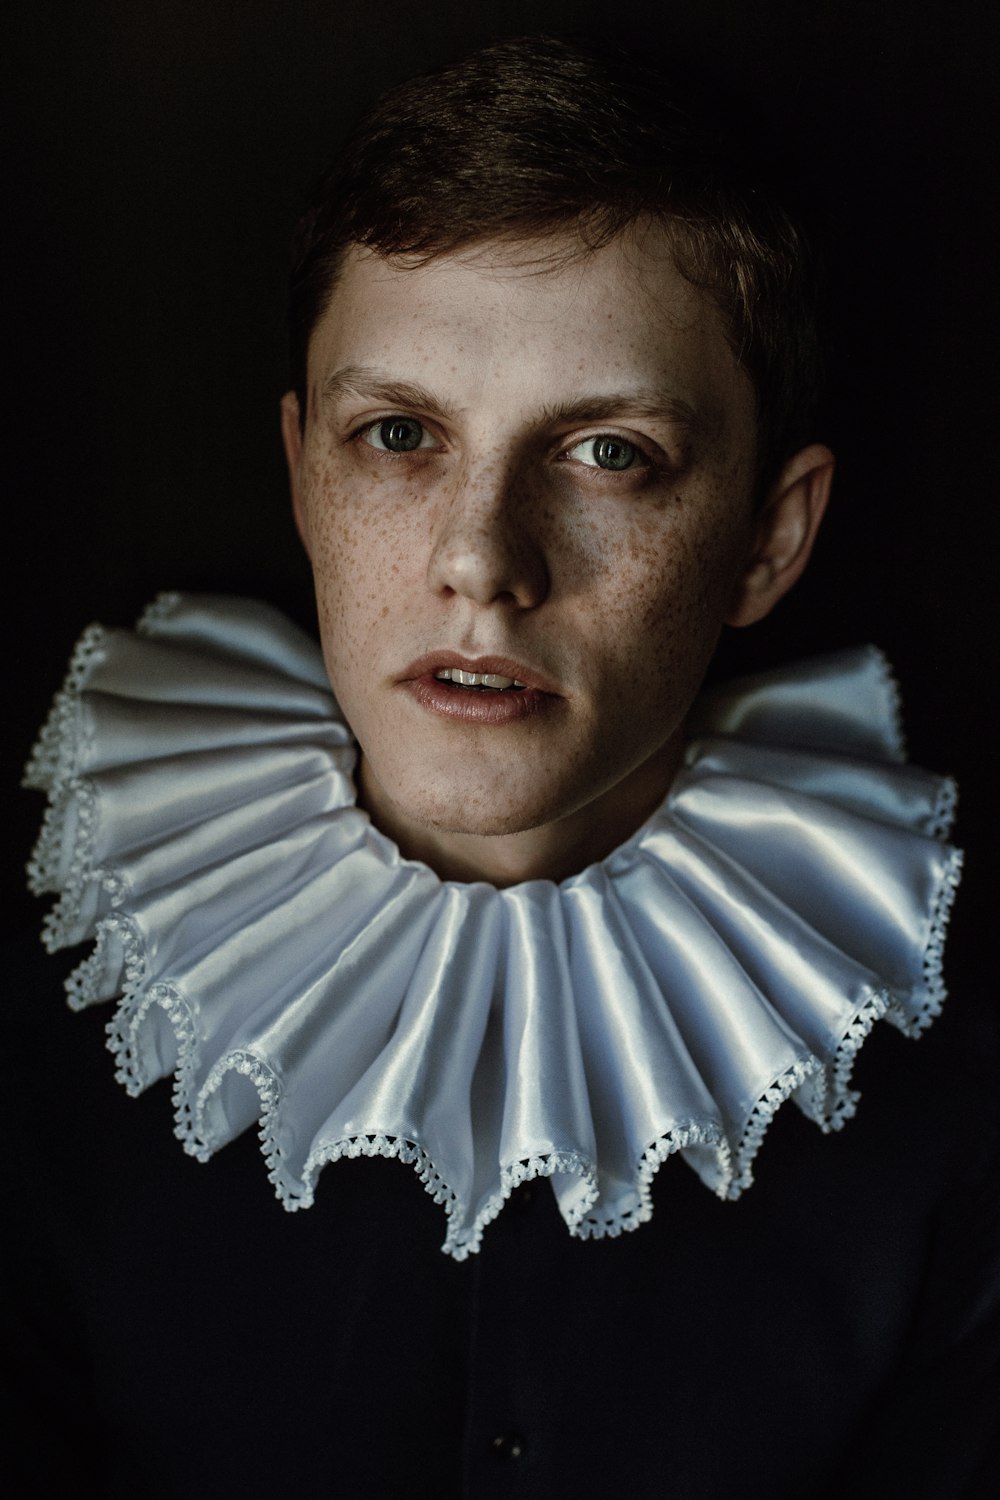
column 827, row 1097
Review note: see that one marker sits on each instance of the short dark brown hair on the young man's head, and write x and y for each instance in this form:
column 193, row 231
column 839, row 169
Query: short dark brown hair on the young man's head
column 534, row 136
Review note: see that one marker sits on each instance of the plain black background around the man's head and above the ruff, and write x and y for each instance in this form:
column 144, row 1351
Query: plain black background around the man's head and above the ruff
column 161, row 155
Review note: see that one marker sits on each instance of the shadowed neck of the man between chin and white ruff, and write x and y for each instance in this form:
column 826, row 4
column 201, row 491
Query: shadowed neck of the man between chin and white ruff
column 552, row 851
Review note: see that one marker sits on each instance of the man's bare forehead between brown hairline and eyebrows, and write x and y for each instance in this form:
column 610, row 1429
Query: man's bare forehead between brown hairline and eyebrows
column 507, row 322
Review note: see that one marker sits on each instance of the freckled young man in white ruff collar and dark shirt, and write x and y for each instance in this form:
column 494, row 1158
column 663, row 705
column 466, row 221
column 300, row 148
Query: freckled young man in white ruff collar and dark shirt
column 519, row 902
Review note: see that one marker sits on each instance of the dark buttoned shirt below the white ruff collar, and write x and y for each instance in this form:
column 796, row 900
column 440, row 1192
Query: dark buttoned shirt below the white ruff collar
column 178, row 1334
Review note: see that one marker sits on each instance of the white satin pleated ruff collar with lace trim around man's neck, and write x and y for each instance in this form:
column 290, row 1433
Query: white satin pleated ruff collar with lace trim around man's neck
column 277, row 953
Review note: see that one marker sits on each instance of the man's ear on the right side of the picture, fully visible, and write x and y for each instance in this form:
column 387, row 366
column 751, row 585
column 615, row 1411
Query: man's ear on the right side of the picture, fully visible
column 785, row 535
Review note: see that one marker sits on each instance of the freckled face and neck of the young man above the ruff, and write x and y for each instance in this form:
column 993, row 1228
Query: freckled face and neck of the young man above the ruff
column 540, row 478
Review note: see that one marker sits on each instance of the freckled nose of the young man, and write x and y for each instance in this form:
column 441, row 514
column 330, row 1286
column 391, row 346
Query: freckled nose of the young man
column 487, row 548
